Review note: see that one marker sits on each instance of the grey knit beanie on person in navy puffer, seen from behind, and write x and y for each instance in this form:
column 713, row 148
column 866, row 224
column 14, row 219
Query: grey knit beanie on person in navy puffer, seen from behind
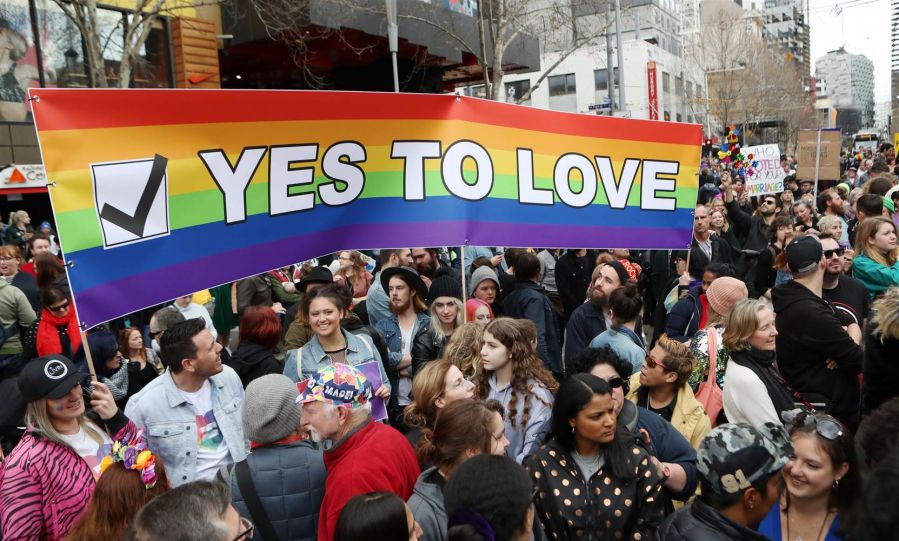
column 270, row 410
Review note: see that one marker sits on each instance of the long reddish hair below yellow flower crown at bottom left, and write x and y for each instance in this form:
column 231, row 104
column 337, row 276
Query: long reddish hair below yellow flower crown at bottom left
column 117, row 498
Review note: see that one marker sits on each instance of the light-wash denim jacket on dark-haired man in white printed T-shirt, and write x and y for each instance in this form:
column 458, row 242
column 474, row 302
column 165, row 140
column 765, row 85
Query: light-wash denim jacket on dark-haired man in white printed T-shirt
column 169, row 421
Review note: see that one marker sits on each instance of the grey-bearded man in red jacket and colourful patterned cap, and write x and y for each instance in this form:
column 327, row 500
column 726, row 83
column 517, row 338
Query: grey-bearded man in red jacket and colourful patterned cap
column 364, row 456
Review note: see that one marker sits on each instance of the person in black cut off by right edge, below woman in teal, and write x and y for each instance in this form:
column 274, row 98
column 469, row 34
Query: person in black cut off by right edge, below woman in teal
column 881, row 374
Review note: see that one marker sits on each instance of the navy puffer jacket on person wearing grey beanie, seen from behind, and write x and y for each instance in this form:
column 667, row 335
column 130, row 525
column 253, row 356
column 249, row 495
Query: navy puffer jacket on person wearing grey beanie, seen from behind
column 290, row 482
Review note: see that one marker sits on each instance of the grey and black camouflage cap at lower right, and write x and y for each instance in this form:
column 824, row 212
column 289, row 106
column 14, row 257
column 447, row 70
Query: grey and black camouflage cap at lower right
column 735, row 452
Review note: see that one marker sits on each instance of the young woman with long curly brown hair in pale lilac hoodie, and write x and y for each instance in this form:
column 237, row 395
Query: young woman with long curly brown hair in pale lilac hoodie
column 515, row 376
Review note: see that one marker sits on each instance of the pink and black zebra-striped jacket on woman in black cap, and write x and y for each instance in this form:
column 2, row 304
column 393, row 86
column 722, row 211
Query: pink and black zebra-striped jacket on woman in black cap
column 44, row 486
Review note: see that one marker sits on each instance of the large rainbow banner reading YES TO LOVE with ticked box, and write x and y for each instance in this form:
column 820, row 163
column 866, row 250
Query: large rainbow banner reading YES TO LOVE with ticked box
column 158, row 193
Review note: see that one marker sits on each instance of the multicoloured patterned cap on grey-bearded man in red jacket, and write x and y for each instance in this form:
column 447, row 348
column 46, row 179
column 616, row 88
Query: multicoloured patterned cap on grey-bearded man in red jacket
column 338, row 384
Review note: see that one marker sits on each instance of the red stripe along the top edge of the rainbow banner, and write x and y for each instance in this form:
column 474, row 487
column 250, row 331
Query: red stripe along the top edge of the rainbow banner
column 72, row 109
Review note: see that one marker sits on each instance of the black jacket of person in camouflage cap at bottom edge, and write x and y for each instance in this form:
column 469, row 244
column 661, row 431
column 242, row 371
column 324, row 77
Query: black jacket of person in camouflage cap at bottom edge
column 699, row 522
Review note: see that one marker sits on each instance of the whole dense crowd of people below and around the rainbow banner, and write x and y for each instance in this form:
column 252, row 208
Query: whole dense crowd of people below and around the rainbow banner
column 742, row 388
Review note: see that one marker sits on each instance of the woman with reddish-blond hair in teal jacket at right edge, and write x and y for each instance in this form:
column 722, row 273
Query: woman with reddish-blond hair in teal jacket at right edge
column 877, row 264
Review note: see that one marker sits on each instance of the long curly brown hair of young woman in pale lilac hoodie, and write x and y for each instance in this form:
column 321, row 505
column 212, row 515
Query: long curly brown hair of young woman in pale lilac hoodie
column 525, row 365
